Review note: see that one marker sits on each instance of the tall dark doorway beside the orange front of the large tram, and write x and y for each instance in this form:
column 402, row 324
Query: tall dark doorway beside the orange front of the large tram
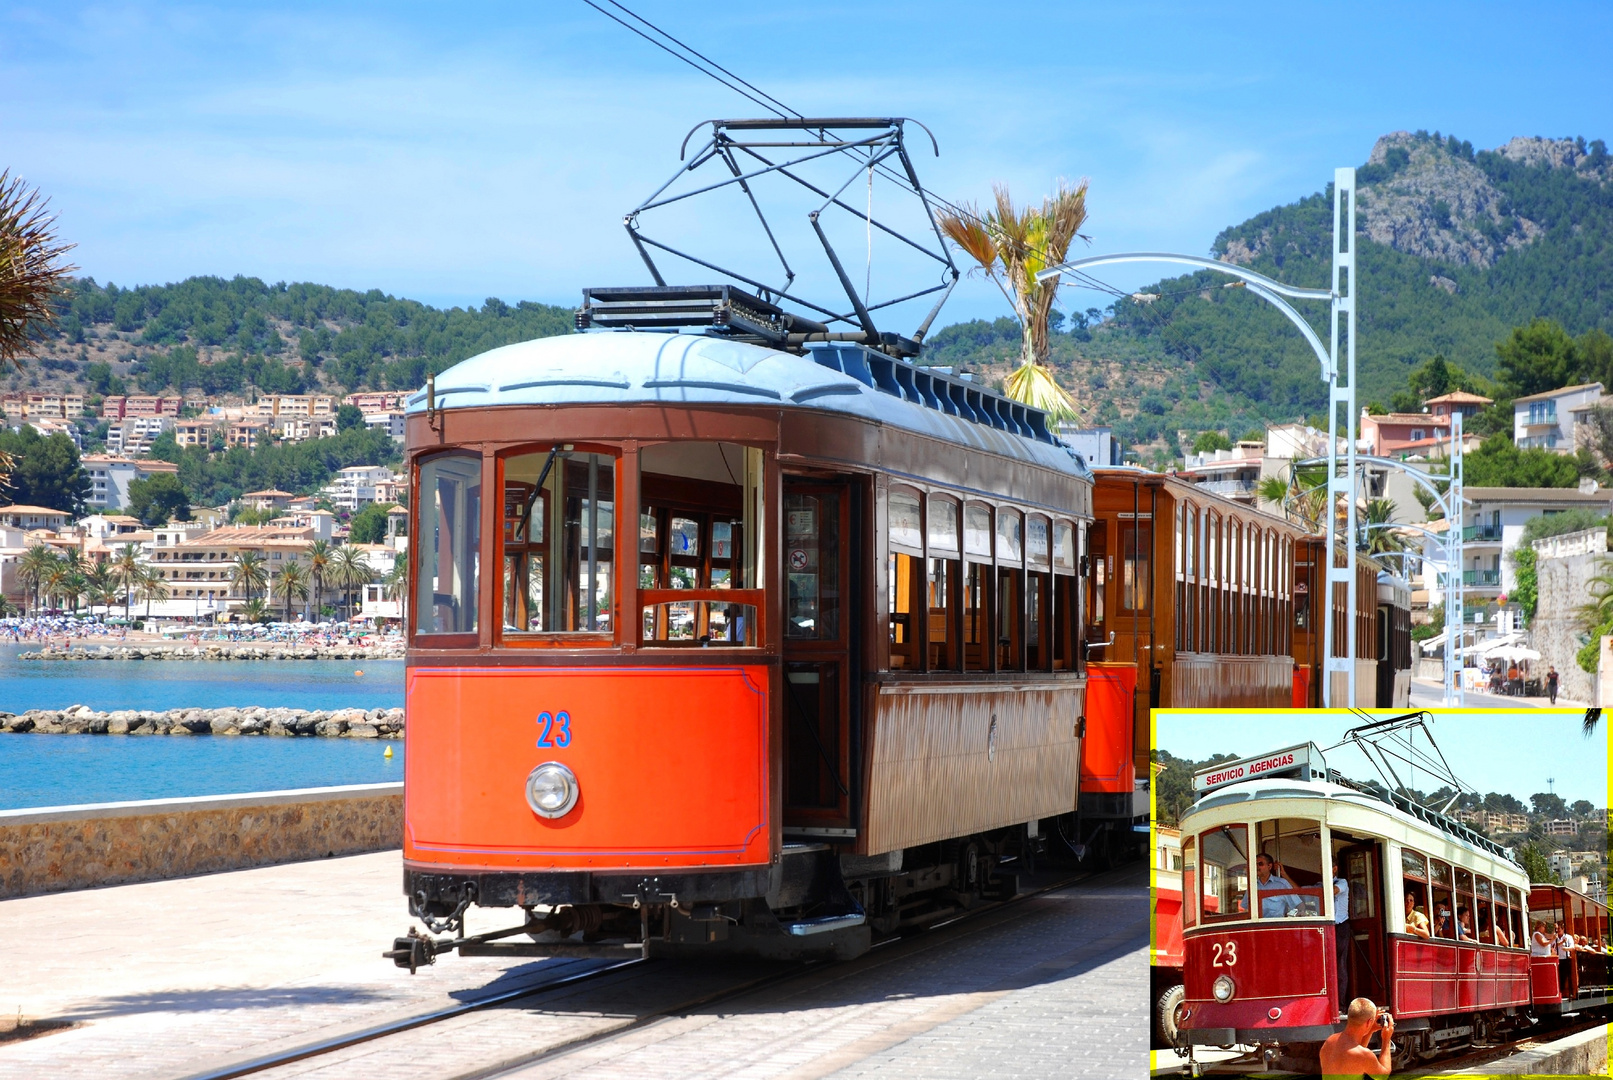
column 820, row 621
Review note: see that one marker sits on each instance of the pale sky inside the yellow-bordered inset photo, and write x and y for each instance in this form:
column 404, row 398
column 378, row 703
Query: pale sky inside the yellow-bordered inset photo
column 1504, row 752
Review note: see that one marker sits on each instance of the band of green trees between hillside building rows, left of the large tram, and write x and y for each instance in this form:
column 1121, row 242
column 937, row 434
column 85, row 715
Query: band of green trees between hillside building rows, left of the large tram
column 302, row 467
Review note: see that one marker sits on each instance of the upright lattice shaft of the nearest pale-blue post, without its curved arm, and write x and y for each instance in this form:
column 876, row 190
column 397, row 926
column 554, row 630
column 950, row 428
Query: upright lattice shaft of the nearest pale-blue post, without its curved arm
column 1344, row 286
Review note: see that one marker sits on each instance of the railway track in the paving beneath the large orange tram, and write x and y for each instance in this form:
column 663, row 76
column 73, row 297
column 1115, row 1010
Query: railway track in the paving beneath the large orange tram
column 633, row 979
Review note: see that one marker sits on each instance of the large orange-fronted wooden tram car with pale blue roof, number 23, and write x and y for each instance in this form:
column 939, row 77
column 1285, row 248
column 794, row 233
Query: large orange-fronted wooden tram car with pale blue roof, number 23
column 840, row 675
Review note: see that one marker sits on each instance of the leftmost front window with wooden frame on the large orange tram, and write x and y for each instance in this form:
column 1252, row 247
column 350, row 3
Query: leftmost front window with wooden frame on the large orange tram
column 469, row 521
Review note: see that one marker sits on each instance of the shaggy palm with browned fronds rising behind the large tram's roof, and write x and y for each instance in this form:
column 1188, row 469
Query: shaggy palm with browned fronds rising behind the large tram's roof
column 1012, row 247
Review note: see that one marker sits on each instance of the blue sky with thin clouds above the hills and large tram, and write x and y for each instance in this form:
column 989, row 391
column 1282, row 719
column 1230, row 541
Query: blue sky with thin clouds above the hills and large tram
column 456, row 152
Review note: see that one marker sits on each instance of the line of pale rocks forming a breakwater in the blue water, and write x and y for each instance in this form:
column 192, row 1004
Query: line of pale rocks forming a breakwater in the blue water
column 81, row 720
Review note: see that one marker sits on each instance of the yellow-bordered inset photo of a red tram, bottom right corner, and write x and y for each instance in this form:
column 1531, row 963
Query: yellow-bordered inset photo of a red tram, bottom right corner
column 1351, row 892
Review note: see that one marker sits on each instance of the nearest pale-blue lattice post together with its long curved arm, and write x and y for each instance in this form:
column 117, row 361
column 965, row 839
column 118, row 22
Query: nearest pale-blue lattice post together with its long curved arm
column 1341, row 302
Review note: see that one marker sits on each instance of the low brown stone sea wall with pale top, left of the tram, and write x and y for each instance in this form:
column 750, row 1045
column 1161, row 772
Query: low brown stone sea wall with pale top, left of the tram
column 114, row 844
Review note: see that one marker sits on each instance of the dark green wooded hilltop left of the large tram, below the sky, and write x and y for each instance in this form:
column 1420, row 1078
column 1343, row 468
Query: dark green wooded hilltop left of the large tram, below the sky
column 359, row 339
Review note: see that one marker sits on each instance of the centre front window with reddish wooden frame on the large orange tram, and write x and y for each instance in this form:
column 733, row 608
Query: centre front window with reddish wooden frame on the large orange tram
column 557, row 536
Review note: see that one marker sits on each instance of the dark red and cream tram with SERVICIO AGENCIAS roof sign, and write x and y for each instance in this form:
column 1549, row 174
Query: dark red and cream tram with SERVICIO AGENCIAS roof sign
column 1262, row 952
